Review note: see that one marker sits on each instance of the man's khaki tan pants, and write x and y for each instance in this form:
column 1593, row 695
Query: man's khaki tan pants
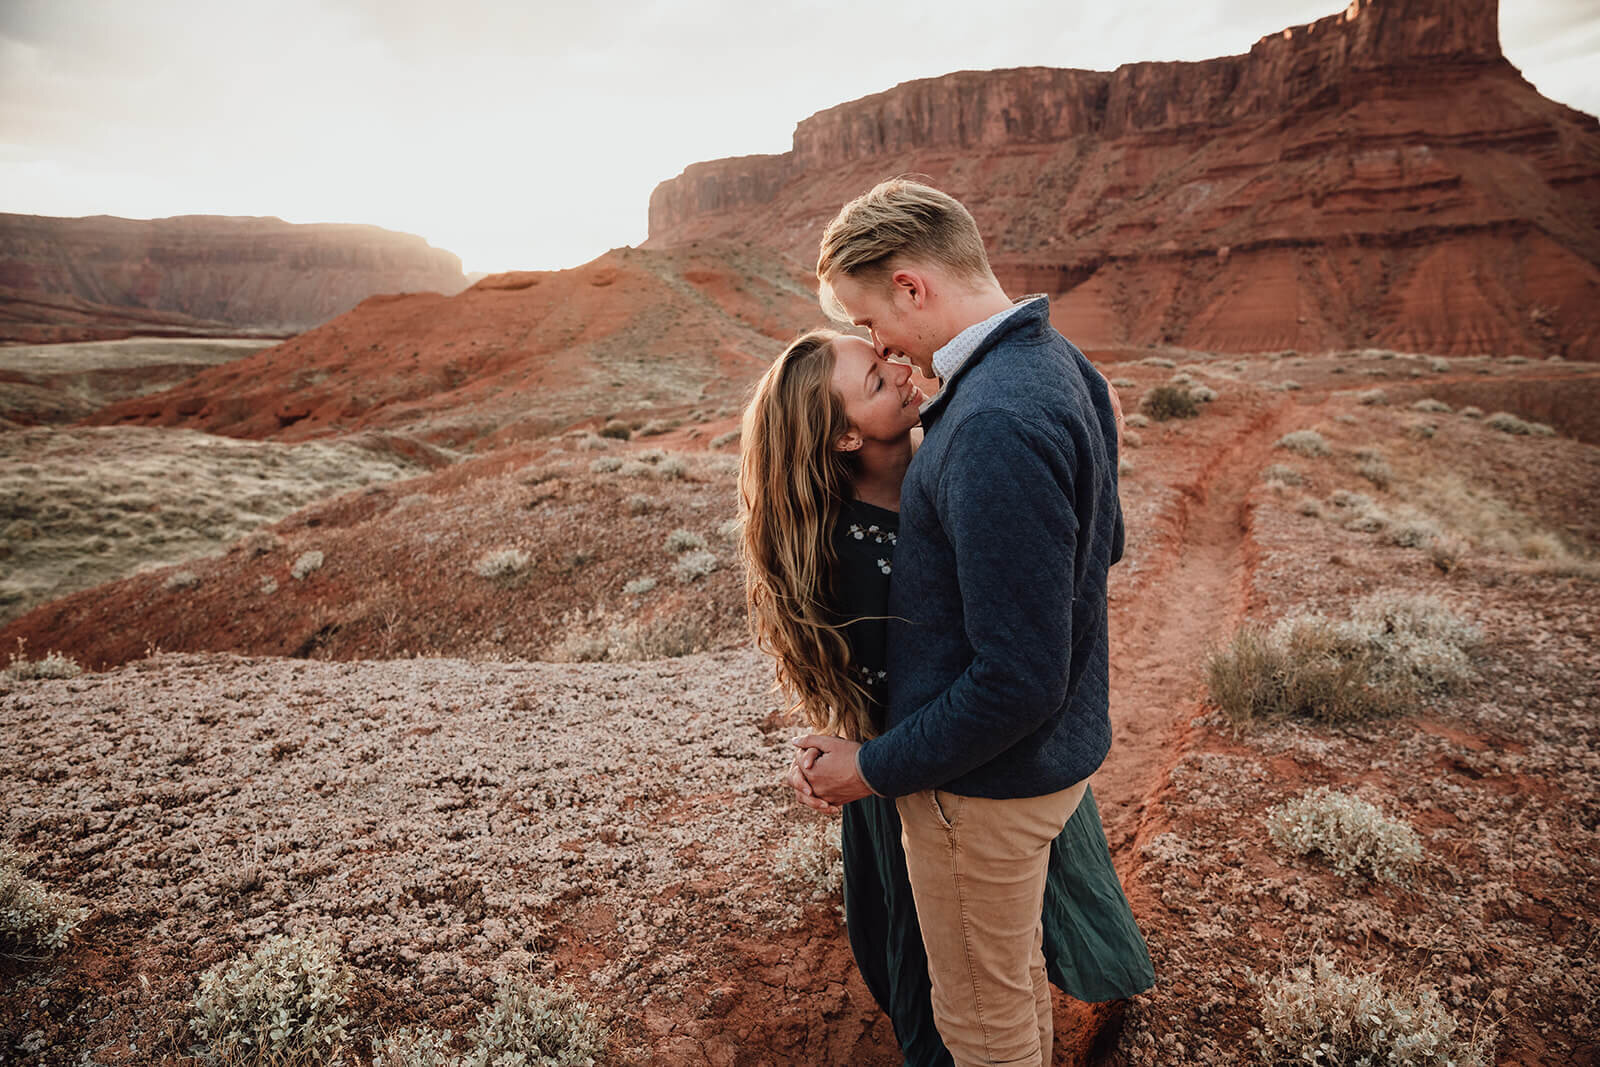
column 978, row 876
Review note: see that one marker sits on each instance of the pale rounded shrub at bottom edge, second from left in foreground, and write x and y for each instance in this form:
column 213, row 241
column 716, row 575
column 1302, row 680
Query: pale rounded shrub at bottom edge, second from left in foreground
column 281, row 1005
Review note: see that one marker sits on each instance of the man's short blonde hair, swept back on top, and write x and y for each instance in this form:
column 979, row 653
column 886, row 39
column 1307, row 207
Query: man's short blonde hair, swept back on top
column 898, row 220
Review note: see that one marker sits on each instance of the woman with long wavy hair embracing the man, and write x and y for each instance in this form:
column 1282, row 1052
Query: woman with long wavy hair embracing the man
column 826, row 442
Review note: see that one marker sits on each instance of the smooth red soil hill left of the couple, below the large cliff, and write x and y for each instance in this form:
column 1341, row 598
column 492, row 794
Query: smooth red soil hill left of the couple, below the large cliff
column 516, row 356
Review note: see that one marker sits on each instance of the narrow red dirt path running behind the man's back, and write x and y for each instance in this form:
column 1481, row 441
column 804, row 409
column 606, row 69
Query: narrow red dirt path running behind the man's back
column 1191, row 599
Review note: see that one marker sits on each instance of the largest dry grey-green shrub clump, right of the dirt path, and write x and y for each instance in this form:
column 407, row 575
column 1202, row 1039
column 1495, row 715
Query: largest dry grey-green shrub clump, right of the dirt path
column 1378, row 663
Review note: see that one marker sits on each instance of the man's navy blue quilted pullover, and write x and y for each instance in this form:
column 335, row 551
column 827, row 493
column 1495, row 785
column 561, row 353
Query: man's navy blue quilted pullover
column 998, row 650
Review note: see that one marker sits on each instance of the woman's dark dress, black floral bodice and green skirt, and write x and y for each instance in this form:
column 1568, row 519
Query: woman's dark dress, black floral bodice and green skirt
column 1094, row 948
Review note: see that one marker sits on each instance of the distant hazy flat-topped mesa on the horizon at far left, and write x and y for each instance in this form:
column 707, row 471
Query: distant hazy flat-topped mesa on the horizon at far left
column 262, row 274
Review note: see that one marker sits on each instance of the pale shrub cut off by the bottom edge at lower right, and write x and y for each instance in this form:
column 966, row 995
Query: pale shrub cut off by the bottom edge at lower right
column 1321, row 1015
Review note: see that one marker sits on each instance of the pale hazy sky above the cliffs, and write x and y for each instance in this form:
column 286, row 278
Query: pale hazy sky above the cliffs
column 530, row 135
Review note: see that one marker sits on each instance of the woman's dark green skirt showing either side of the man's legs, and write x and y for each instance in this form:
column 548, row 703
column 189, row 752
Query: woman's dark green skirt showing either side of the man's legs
column 1094, row 949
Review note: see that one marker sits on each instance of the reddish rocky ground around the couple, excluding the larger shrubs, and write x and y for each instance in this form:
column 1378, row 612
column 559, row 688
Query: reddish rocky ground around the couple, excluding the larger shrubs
column 618, row 826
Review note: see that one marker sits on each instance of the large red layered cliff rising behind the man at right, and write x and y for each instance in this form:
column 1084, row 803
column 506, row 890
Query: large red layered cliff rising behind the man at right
column 1377, row 178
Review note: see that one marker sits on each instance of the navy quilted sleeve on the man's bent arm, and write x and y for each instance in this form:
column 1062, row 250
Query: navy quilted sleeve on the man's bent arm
column 1006, row 502
